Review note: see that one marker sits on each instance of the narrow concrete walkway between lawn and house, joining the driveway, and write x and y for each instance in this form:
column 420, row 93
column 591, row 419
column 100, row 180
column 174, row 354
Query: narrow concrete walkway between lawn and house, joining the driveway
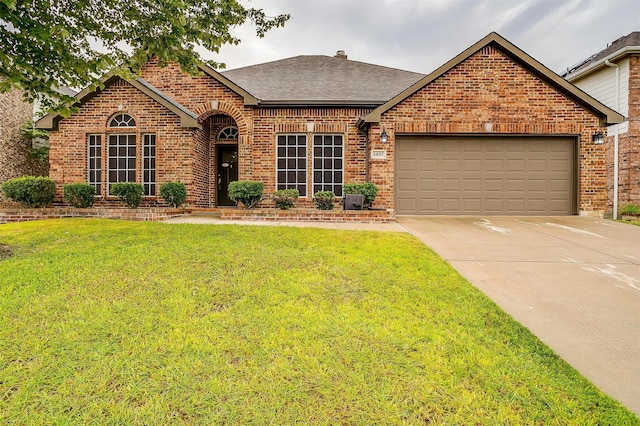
column 345, row 226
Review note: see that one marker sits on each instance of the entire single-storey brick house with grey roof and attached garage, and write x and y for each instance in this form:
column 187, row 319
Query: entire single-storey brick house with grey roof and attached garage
column 492, row 131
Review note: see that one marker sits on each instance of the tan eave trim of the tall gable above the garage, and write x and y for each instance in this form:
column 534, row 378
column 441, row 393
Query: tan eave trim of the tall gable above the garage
column 606, row 114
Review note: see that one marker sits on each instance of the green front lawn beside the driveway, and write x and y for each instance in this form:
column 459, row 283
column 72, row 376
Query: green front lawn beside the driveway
column 112, row 322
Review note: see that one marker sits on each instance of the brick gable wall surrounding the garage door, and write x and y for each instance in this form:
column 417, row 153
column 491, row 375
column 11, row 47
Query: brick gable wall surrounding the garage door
column 489, row 87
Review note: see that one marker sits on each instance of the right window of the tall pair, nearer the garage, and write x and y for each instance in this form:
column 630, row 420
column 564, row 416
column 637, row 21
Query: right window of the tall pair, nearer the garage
column 328, row 163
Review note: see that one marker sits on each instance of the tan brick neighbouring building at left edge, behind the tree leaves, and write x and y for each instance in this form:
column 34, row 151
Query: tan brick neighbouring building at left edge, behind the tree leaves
column 14, row 157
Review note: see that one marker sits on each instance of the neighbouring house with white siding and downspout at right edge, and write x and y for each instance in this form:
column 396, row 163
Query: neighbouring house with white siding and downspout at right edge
column 613, row 77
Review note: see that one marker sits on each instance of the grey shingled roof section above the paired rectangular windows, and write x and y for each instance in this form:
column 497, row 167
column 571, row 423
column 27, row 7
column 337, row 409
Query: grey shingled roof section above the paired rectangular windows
column 322, row 80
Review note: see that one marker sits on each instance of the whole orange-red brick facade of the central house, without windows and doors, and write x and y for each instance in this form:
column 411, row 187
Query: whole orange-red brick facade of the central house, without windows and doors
column 486, row 88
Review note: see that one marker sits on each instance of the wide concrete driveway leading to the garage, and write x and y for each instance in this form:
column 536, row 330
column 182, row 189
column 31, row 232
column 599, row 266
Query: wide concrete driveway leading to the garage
column 573, row 281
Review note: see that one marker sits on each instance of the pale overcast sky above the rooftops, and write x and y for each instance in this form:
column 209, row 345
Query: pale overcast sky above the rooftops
column 421, row 35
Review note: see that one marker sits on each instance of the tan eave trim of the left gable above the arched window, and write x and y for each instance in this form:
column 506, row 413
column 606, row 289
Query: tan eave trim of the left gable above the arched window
column 187, row 118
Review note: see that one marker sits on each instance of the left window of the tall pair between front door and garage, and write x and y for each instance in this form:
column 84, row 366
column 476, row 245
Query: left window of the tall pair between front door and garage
column 291, row 158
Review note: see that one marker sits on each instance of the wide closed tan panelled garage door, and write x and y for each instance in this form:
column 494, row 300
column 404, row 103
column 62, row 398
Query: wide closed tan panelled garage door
column 485, row 175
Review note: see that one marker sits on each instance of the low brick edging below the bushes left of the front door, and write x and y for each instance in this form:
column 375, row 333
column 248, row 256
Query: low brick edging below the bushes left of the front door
column 8, row 215
